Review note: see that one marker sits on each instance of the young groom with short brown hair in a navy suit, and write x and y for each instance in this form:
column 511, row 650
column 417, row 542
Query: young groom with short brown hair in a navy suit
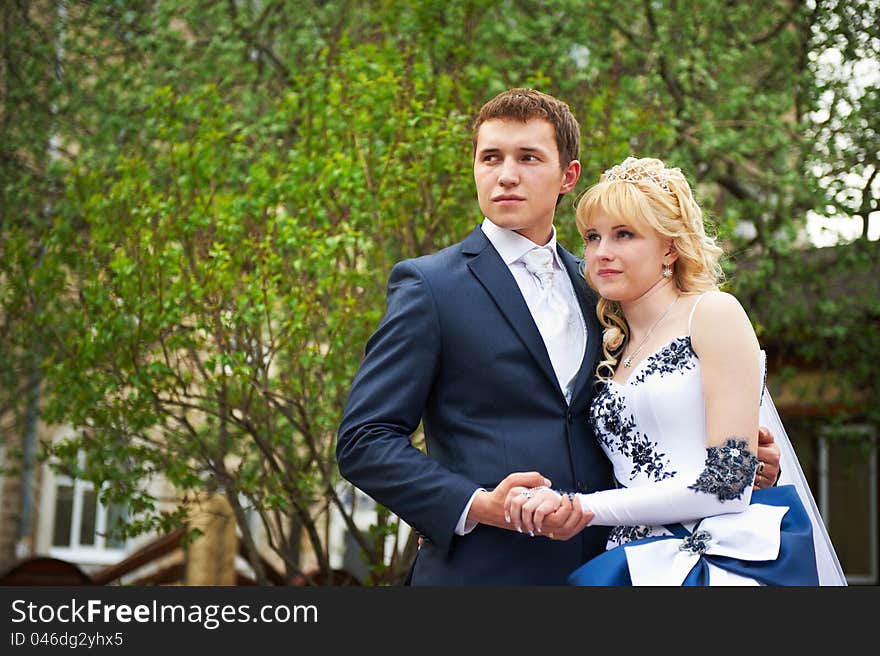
column 491, row 344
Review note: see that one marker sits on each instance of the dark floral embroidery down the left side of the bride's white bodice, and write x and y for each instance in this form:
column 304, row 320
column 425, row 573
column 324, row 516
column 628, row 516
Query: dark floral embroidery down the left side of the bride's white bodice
column 616, row 429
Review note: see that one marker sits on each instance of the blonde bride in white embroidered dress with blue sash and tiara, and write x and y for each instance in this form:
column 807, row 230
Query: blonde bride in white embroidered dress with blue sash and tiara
column 679, row 409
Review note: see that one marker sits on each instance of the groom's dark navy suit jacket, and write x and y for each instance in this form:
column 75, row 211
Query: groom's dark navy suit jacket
column 459, row 351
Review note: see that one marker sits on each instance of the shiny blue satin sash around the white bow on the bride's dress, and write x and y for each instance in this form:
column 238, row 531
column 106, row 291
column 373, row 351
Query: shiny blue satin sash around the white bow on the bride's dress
column 795, row 565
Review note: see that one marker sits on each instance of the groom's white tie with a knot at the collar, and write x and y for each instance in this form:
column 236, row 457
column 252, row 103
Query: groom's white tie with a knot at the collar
column 551, row 315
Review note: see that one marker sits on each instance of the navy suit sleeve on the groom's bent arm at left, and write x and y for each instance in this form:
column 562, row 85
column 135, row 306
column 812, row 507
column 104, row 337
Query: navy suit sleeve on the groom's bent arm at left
column 385, row 406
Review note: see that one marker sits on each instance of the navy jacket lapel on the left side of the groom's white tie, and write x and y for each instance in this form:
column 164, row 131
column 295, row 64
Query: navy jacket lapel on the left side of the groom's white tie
column 493, row 274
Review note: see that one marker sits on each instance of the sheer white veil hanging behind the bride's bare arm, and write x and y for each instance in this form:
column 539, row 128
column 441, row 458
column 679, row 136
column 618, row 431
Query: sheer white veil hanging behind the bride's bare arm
column 830, row 571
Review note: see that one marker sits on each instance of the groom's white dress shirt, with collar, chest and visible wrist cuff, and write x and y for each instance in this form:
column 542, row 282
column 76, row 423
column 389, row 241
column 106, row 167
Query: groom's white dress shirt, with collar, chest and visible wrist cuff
column 511, row 246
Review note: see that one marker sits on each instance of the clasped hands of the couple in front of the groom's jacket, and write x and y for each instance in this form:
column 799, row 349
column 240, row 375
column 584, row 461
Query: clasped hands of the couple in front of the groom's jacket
column 542, row 511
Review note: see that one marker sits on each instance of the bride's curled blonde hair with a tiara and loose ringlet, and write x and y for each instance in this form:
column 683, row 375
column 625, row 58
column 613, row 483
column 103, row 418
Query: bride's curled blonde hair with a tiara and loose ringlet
column 644, row 192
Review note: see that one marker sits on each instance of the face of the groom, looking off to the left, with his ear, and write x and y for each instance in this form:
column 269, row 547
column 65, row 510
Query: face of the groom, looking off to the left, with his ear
column 519, row 176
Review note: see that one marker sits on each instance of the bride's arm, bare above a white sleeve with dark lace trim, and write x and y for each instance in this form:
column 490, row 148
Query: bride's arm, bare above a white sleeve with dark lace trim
column 723, row 339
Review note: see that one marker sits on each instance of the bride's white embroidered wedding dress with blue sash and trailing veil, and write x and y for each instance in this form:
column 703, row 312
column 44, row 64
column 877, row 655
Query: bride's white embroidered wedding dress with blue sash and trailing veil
column 652, row 428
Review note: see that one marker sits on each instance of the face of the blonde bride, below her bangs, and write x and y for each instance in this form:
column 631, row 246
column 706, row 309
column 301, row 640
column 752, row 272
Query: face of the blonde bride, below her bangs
column 624, row 259
